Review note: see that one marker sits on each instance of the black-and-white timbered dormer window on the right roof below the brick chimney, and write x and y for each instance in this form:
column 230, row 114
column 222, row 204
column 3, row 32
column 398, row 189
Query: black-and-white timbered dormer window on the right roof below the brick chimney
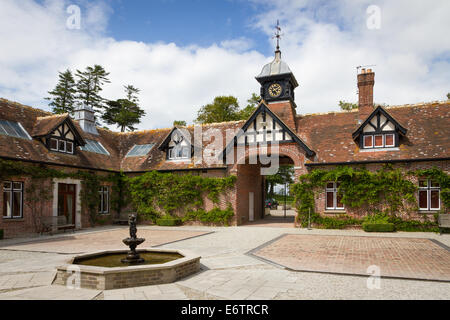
column 379, row 131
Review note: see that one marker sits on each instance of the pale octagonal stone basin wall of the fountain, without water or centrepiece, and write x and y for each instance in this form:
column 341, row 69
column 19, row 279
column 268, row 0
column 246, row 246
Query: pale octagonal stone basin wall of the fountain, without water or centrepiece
column 126, row 276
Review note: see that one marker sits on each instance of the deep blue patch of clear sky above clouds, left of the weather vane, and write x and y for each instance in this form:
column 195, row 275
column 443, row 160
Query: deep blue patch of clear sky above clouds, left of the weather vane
column 186, row 22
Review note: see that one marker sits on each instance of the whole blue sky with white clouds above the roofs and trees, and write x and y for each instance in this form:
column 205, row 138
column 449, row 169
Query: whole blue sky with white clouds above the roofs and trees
column 183, row 53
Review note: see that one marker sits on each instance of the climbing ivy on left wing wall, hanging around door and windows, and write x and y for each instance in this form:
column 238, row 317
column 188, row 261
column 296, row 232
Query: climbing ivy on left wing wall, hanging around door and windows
column 35, row 193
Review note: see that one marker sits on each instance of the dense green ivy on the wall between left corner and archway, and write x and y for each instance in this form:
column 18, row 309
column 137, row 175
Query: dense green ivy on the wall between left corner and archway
column 154, row 191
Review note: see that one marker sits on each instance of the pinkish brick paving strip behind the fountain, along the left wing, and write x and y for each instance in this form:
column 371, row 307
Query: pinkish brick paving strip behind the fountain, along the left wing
column 106, row 240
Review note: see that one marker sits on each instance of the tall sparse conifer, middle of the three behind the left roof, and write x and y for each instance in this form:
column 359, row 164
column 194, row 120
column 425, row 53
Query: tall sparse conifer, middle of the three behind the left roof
column 89, row 85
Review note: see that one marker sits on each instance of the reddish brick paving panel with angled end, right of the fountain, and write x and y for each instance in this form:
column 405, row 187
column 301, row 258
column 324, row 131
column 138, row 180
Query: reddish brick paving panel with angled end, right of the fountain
column 397, row 257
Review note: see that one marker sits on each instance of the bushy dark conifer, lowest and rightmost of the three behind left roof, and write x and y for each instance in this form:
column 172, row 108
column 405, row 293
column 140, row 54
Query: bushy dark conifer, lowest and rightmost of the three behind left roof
column 124, row 113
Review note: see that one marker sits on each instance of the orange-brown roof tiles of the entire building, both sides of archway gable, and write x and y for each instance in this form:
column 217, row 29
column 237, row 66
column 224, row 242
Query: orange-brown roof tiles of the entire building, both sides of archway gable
column 328, row 134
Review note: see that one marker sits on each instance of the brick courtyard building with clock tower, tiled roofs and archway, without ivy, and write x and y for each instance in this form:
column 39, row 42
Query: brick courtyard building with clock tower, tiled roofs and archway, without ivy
column 409, row 137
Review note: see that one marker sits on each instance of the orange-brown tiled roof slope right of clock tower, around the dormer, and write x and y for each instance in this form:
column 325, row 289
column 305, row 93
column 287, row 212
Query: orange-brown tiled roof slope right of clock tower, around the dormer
column 330, row 134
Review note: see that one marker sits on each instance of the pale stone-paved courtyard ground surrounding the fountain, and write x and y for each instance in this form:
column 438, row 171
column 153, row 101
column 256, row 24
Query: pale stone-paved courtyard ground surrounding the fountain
column 229, row 270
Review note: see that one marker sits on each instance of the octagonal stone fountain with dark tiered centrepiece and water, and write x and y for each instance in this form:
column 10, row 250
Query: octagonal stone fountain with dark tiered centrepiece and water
column 108, row 269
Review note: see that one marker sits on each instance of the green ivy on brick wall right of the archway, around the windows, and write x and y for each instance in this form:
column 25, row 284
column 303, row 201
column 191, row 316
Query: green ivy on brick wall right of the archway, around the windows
column 388, row 190
